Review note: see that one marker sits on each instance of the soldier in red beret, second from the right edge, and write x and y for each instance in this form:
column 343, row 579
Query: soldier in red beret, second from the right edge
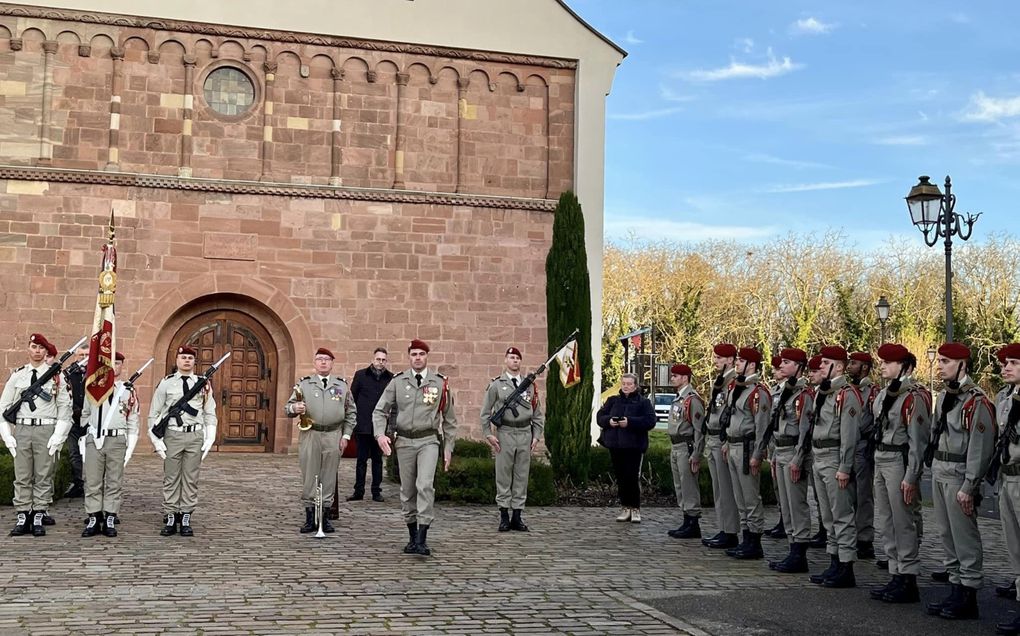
column 963, row 441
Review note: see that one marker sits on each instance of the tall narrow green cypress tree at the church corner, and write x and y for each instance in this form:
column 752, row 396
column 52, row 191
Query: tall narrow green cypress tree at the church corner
column 569, row 305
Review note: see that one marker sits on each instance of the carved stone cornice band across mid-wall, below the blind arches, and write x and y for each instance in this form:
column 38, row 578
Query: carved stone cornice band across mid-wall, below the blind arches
column 159, row 182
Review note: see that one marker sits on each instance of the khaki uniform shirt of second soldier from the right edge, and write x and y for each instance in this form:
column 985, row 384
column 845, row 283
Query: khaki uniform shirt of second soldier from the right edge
column 971, row 432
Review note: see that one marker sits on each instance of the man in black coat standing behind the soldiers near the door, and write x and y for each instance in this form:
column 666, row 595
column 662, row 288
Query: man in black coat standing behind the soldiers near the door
column 367, row 388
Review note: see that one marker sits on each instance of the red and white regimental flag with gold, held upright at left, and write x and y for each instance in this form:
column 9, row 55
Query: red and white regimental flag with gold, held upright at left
column 103, row 345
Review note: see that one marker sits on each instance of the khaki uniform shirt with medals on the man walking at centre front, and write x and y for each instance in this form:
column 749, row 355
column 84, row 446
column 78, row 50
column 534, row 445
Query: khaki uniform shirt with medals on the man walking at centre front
column 418, row 407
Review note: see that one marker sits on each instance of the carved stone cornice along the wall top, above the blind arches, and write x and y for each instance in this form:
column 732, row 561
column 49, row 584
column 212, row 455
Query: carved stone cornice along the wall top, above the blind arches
column 131, row 22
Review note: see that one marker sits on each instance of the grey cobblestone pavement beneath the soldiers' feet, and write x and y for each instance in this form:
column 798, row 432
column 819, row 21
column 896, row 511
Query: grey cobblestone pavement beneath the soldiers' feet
column 248, row 571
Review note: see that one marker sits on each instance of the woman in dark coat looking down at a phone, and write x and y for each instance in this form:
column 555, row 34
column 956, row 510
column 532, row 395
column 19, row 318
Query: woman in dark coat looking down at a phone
column 626, row 420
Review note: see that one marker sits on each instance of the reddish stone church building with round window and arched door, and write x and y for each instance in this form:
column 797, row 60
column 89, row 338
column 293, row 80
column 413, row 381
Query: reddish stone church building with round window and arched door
column 345, row 174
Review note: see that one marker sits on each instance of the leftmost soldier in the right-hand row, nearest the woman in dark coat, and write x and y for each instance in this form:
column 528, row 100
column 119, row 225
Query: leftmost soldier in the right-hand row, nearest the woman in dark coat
column 687, row 417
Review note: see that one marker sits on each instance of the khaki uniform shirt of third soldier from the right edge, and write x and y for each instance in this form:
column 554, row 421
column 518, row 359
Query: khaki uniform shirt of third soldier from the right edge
column 907, row 421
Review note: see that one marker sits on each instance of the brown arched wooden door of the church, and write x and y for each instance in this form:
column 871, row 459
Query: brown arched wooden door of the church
column 244, row 388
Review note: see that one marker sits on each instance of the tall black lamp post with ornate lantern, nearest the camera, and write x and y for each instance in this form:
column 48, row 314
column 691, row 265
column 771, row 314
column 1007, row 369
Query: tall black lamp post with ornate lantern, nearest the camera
column 933, row 214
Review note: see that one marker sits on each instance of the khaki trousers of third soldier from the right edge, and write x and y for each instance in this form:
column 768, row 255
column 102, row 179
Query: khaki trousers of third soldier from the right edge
column 894, row 518
